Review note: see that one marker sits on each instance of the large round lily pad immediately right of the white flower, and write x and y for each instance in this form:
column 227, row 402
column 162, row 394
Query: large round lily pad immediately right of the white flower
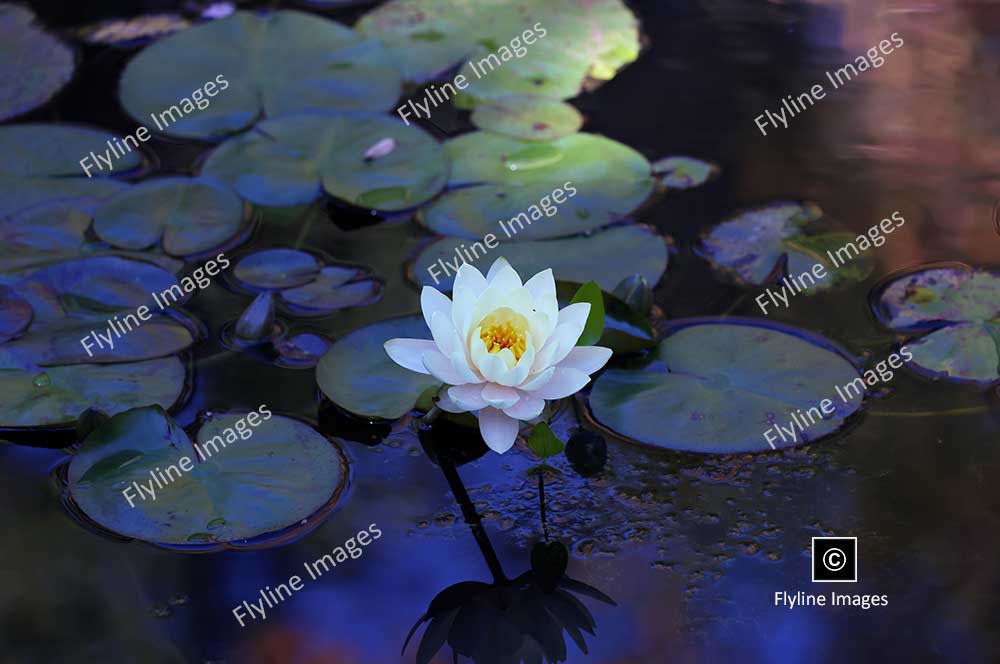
column 718, row 386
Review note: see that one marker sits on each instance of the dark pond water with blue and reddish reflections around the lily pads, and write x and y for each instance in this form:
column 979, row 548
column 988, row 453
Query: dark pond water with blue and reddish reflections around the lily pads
column 692, row 548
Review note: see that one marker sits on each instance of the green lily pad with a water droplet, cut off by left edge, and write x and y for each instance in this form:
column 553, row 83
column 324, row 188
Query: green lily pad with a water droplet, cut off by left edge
column 57, row 395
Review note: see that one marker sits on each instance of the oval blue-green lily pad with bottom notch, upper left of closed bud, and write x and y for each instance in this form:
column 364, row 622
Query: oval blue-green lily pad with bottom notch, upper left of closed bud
column 191, row 216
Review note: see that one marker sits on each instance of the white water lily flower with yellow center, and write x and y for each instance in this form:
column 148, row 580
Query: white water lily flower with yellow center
column 503, row 347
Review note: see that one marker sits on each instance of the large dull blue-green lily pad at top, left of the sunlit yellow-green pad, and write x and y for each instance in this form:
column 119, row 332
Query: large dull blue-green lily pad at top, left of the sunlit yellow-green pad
column 264, row 65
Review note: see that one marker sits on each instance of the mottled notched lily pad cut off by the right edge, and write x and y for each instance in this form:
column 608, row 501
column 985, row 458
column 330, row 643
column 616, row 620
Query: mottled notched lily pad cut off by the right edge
column 960, row 307
